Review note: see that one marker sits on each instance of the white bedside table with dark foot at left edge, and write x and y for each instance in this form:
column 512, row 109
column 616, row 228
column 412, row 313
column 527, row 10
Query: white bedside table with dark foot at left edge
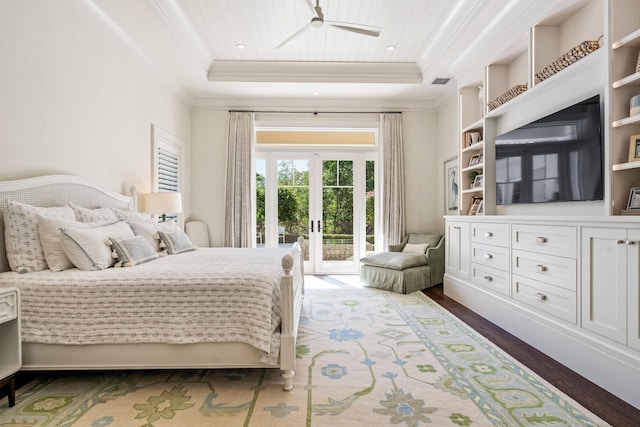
column 10, row 340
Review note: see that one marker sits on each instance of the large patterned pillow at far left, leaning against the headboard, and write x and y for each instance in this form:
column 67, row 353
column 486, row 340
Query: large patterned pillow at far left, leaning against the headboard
column 24, row 251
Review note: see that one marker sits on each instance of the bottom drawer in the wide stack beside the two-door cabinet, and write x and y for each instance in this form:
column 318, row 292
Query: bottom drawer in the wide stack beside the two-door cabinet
column 551, row 299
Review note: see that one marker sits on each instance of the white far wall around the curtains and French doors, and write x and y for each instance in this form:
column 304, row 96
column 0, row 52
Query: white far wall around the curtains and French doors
column 422, row 166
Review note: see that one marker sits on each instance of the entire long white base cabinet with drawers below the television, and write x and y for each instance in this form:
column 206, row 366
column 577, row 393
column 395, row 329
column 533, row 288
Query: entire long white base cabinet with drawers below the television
column 568, row 286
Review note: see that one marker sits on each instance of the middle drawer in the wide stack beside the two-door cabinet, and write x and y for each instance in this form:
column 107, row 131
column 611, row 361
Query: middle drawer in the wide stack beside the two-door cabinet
column 554, row 270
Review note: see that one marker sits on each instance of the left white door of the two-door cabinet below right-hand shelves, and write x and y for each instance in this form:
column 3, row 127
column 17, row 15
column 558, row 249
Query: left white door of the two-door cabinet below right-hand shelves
column 604, row 282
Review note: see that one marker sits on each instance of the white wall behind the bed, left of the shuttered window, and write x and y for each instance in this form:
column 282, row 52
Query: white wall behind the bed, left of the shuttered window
column 75, row 99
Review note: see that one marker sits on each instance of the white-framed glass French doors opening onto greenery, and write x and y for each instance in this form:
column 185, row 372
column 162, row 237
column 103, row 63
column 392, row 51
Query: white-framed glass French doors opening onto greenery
column 326, row 198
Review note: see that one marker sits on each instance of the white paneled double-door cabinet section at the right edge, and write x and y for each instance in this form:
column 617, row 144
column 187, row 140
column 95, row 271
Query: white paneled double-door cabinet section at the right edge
column 609, row 280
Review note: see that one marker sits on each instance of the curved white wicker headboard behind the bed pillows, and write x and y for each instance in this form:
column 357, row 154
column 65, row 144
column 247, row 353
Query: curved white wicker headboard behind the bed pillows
column 56, row 190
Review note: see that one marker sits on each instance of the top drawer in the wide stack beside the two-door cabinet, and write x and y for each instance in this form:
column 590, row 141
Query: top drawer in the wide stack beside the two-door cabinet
column 551, row 240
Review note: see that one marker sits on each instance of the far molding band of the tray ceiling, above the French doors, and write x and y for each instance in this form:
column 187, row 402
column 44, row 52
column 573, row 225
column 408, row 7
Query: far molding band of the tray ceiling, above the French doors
column 315, row 72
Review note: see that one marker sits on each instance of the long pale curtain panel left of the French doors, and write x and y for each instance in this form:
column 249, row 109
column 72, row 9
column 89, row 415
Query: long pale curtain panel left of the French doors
column 238, row 229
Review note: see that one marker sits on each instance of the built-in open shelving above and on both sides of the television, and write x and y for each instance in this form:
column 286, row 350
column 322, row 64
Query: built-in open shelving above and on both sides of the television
column 545, row 42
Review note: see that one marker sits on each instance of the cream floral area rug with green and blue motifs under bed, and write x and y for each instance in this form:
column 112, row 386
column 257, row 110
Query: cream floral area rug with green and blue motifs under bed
column 365, row 358
